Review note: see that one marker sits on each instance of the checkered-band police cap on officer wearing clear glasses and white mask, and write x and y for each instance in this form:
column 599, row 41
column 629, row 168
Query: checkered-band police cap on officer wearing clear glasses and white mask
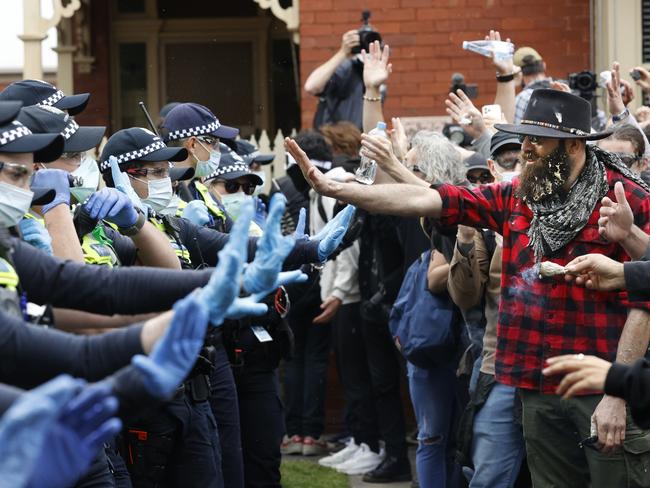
column 138, row 144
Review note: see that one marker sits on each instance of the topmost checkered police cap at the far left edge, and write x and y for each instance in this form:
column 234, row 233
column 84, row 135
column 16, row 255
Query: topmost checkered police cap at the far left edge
column 37, row 92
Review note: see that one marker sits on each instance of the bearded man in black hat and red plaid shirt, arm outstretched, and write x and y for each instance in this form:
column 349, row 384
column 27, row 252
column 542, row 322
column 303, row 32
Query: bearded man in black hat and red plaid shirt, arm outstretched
column 549, row 213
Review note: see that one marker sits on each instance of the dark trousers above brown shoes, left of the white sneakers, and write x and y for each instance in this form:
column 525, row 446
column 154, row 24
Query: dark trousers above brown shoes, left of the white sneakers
column 306, row 374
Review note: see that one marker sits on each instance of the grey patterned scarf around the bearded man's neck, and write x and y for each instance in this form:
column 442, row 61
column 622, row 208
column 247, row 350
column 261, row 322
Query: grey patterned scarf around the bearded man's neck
column 557, row 221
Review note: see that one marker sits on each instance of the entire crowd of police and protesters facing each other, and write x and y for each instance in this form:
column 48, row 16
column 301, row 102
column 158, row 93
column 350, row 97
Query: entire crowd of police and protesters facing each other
column 153, row 299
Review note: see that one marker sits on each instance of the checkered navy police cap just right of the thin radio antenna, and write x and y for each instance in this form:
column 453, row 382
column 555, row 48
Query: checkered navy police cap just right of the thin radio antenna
column 192, row 119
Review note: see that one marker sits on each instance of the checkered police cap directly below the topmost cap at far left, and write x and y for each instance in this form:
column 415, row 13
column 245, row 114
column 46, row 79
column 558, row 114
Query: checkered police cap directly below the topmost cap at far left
column 43, row 119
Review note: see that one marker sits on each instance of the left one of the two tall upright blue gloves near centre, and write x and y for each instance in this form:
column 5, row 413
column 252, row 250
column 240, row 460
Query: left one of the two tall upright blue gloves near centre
column 221, row 292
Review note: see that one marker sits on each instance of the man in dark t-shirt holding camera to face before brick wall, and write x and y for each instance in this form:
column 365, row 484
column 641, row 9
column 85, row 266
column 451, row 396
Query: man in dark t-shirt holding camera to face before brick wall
column 339, row 81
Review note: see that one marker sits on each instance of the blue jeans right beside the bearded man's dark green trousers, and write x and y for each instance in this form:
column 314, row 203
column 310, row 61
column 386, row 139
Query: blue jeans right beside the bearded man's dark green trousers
column 498, row 443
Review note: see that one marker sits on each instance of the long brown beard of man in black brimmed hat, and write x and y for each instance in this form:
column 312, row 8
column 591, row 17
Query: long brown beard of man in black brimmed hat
column 544, row 177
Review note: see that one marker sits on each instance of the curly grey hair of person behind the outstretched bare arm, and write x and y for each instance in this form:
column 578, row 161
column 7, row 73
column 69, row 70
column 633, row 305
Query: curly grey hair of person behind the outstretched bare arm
column 437, row 158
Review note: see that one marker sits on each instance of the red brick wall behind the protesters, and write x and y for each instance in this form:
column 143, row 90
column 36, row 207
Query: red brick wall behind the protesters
column 426, row 35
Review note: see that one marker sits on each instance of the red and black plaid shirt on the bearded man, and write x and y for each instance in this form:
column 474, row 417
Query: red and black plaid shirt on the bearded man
column 539, row 319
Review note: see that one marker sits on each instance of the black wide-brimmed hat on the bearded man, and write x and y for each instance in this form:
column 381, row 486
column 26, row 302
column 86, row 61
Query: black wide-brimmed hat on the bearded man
column 556, row 114
